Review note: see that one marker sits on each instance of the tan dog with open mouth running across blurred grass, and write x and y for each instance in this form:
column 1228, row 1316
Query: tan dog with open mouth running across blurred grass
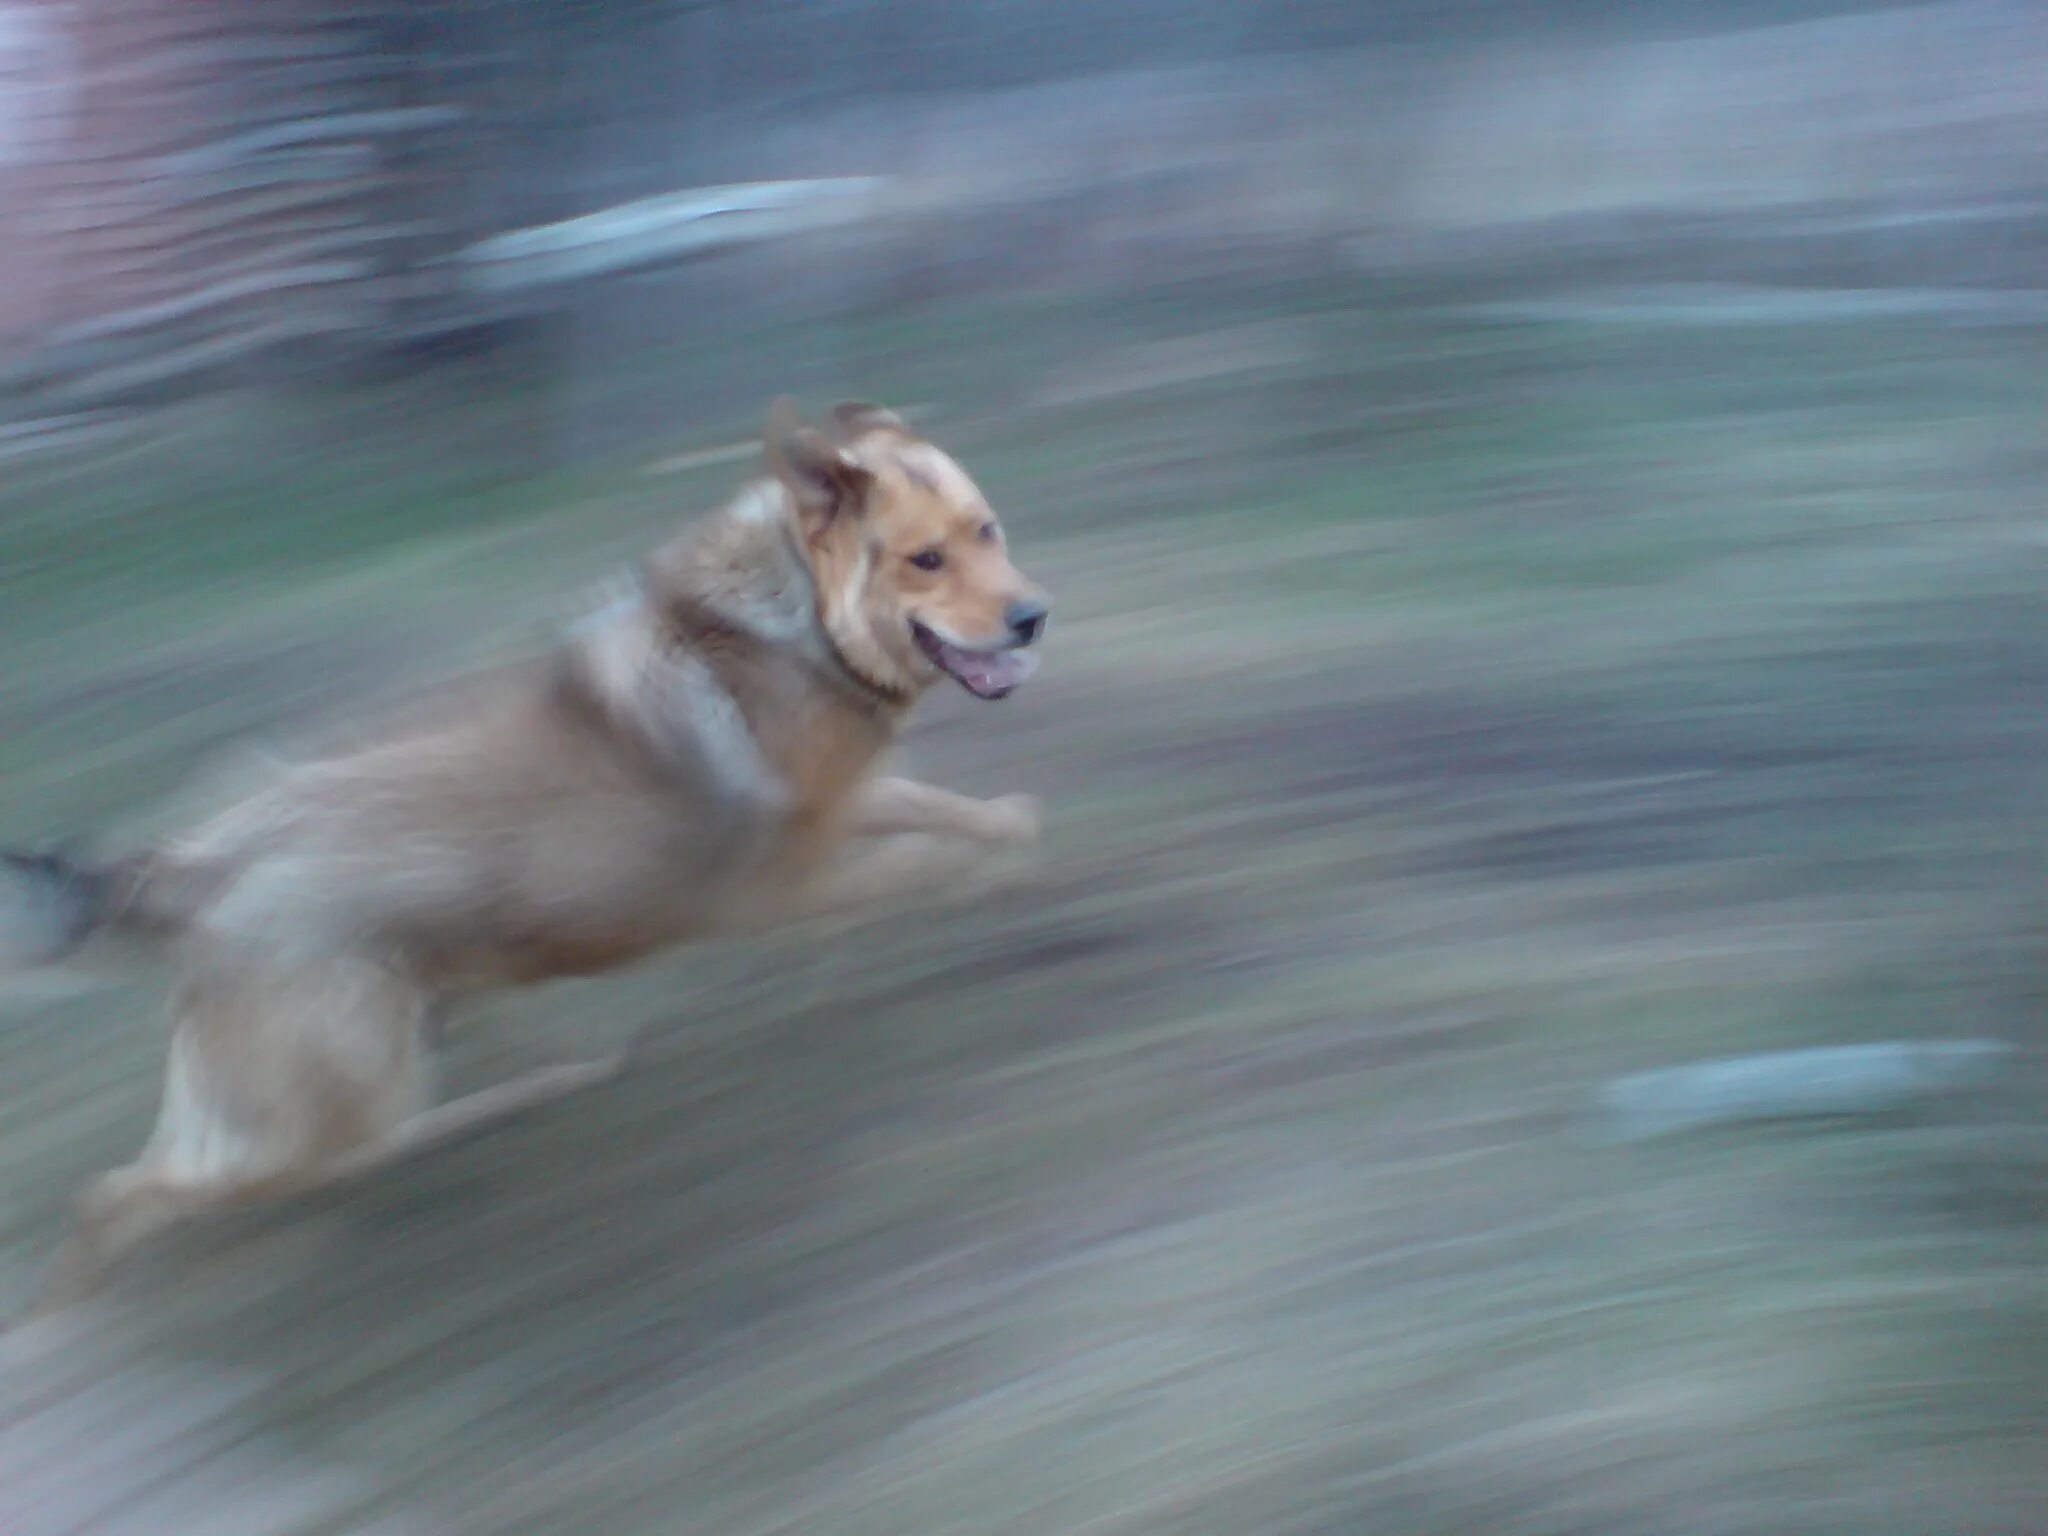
column 691, row 761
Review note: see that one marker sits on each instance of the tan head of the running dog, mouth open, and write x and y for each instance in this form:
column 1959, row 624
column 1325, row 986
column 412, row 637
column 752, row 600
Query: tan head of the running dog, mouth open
column 912, row 570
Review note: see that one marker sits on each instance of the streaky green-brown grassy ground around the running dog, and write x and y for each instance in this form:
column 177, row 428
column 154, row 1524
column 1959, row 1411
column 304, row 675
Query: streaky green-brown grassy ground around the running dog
column 1443, row 716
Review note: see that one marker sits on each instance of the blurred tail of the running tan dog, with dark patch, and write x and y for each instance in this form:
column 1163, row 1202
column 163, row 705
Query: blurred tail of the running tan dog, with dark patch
column 54, row 906
